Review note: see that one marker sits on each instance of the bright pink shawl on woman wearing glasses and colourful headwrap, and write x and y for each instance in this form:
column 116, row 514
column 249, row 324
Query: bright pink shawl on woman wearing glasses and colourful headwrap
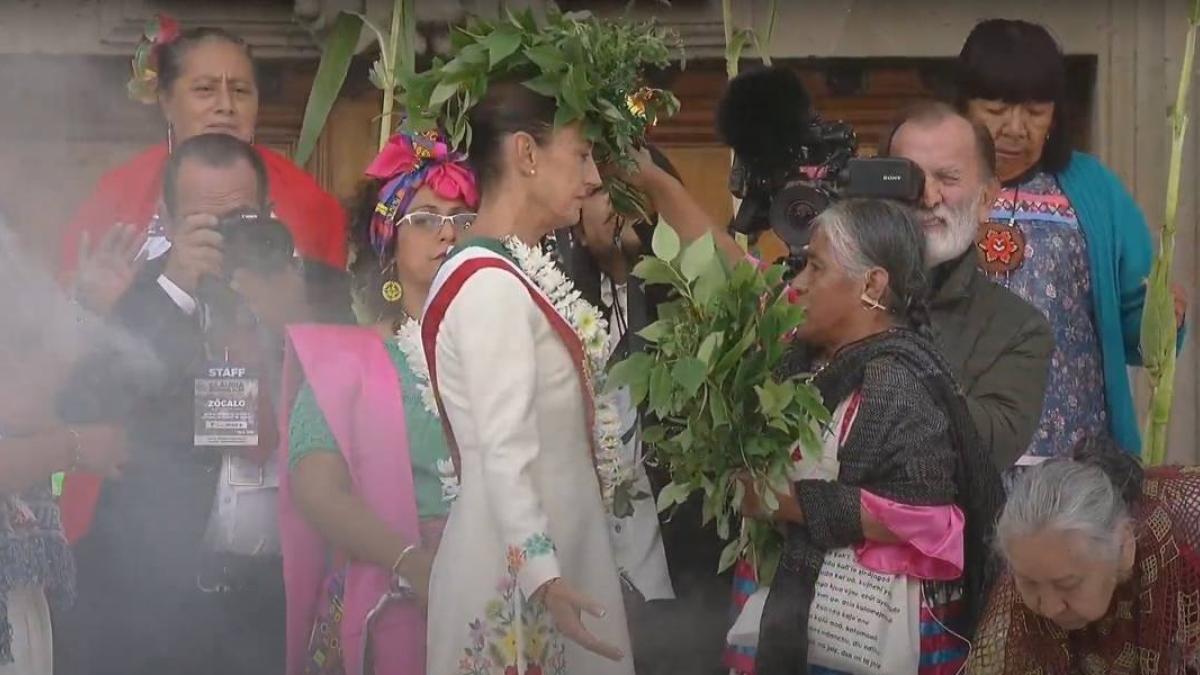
column 359, row 393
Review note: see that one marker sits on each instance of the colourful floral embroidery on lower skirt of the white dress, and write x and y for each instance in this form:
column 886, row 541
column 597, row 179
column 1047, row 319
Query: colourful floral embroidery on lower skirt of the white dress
column 512, row 622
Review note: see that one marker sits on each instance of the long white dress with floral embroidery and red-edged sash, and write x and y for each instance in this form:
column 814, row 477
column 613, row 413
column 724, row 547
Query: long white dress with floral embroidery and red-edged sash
column 530, row 506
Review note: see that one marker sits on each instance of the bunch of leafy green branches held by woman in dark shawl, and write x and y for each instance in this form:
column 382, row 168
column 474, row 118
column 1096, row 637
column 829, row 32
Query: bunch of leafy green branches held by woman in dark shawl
column 709, row 378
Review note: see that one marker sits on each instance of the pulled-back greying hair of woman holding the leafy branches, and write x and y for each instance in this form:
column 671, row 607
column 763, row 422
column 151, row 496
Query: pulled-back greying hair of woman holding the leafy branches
column 881, row 234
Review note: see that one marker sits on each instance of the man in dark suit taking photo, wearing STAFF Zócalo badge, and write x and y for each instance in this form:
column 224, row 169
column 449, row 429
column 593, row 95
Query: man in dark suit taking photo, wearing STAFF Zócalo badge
column 181, row 572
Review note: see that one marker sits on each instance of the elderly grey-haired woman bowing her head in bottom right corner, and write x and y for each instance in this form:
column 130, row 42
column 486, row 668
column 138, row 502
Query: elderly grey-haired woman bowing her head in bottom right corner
column 1103, row 570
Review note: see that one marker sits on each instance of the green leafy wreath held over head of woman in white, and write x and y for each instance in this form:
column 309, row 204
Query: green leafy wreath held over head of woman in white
column 592, row 68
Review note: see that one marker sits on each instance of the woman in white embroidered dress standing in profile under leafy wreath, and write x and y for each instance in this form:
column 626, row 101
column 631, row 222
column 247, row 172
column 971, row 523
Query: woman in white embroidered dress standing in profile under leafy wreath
column 525, row 581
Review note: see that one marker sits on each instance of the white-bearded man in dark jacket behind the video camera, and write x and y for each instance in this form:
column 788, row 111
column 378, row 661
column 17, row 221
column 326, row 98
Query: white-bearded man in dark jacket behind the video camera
column 998, row 345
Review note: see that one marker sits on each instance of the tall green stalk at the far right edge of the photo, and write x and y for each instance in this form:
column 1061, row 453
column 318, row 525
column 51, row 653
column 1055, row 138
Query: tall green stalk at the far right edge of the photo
column 1159, row 325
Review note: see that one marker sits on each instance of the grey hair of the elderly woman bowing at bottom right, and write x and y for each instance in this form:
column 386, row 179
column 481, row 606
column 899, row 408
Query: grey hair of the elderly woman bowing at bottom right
column 1065, row 495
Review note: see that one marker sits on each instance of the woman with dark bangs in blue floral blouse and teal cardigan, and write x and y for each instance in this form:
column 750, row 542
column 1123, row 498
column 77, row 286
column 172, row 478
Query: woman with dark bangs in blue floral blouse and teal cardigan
column 1065, row 235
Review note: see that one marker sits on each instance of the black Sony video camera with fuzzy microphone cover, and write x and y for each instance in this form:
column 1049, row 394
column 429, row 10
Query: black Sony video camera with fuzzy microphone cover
column 790, row 165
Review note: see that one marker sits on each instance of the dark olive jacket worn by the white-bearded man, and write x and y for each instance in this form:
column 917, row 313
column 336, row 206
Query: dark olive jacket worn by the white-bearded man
column 999, row 348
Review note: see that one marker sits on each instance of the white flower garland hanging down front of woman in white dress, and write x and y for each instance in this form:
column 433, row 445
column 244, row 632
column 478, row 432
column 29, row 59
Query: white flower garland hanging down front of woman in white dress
column 593, row 331
